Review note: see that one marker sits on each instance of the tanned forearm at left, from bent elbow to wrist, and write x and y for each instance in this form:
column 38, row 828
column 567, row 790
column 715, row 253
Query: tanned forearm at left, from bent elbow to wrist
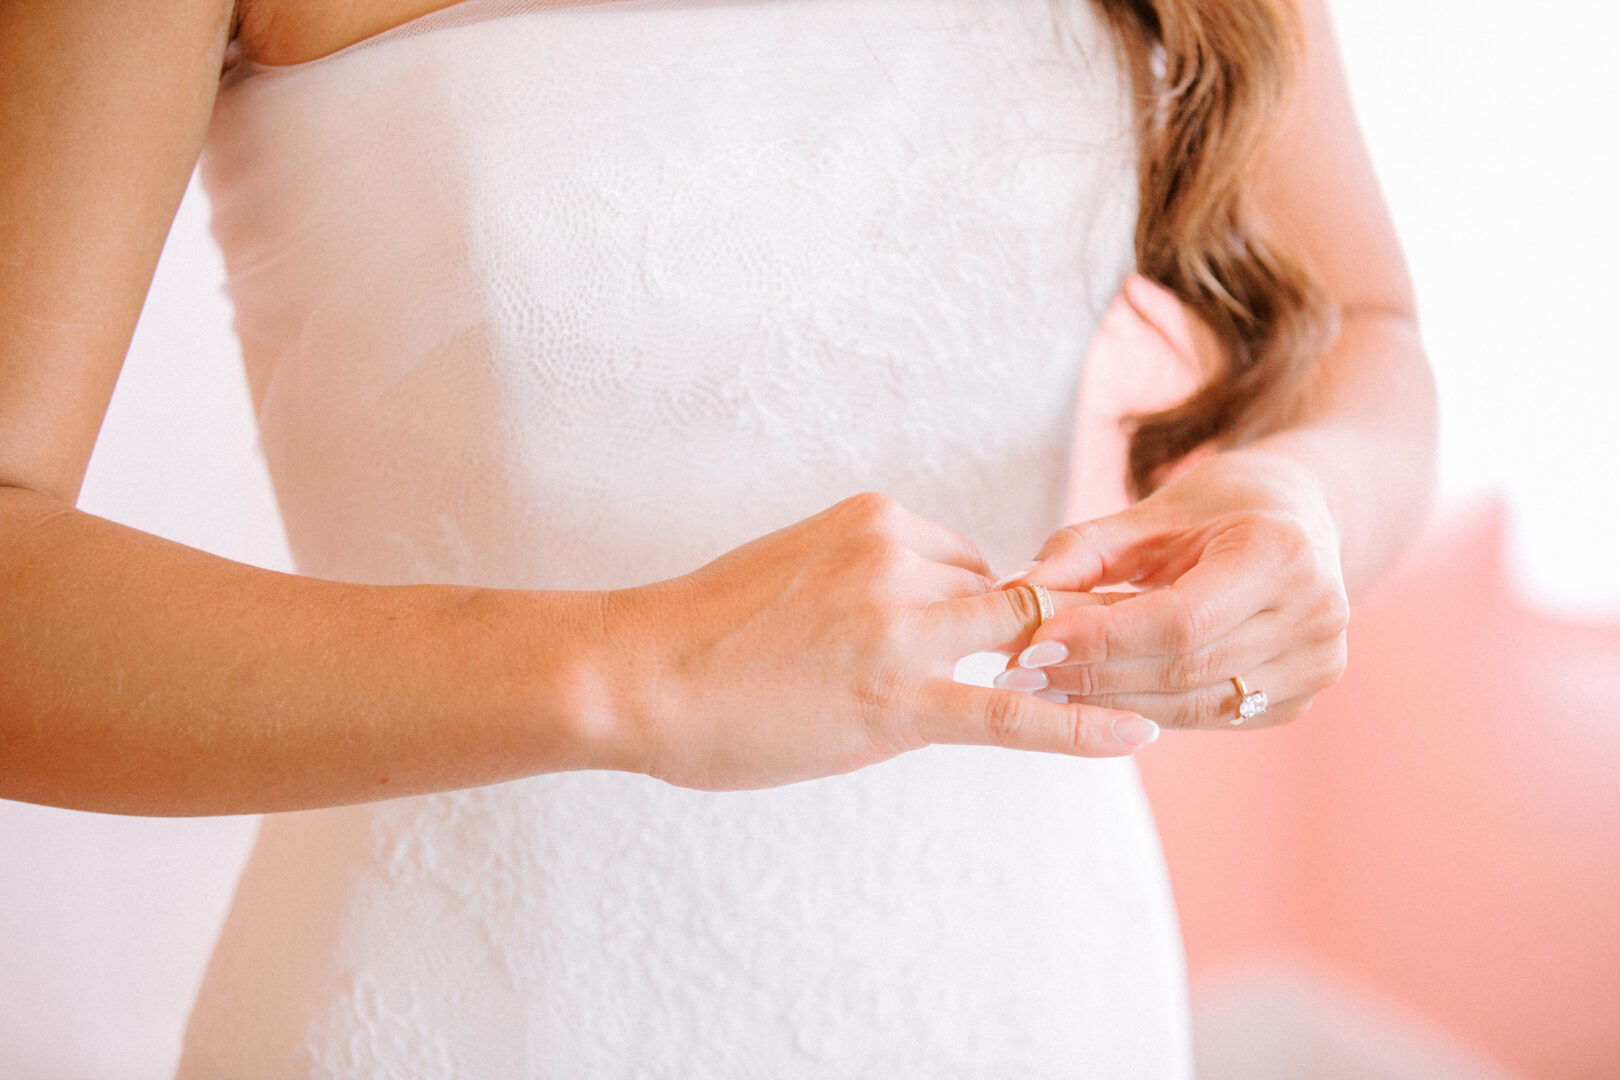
column 140, row 676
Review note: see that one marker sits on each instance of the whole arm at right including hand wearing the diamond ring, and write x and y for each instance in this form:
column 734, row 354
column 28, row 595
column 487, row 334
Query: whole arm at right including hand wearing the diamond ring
column 1253, row 555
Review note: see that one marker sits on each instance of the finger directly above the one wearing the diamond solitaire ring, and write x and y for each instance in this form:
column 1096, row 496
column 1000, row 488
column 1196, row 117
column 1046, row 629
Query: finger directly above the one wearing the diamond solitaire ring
column 1243, row 650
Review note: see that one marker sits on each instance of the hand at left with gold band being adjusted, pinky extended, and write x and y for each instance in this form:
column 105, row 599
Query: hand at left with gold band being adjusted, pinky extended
column 824, row 648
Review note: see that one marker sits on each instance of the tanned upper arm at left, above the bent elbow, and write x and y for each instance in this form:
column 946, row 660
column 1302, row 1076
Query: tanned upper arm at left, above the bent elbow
column 103, row 113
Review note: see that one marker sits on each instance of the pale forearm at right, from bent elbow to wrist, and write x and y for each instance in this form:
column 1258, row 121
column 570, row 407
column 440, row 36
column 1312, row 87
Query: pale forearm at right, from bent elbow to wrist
column 1366, row 441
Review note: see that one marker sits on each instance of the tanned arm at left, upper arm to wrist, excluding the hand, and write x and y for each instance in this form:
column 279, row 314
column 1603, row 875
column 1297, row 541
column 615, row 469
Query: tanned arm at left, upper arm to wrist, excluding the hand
column 140, row 676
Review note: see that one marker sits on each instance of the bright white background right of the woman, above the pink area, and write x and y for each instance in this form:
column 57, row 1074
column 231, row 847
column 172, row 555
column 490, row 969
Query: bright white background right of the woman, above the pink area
column 1494, row 132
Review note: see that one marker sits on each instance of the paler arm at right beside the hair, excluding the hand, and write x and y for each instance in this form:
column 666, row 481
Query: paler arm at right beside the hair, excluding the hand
column 1370, row 435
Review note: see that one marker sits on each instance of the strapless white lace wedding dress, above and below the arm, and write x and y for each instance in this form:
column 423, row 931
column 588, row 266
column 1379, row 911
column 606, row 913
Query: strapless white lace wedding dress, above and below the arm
column 550, row 296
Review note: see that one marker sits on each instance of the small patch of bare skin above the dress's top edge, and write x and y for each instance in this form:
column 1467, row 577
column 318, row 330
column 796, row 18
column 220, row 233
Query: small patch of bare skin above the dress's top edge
column 294, row 32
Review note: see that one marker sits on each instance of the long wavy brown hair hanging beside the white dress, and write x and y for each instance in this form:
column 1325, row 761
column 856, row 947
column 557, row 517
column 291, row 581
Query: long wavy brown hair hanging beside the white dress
column 1211, row 79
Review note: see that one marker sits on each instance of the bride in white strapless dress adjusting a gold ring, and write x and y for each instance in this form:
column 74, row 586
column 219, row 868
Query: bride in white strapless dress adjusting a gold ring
column 655, row 394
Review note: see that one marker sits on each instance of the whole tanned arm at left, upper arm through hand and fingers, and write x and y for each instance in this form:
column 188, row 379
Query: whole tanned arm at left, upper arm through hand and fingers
column 142, row 676
